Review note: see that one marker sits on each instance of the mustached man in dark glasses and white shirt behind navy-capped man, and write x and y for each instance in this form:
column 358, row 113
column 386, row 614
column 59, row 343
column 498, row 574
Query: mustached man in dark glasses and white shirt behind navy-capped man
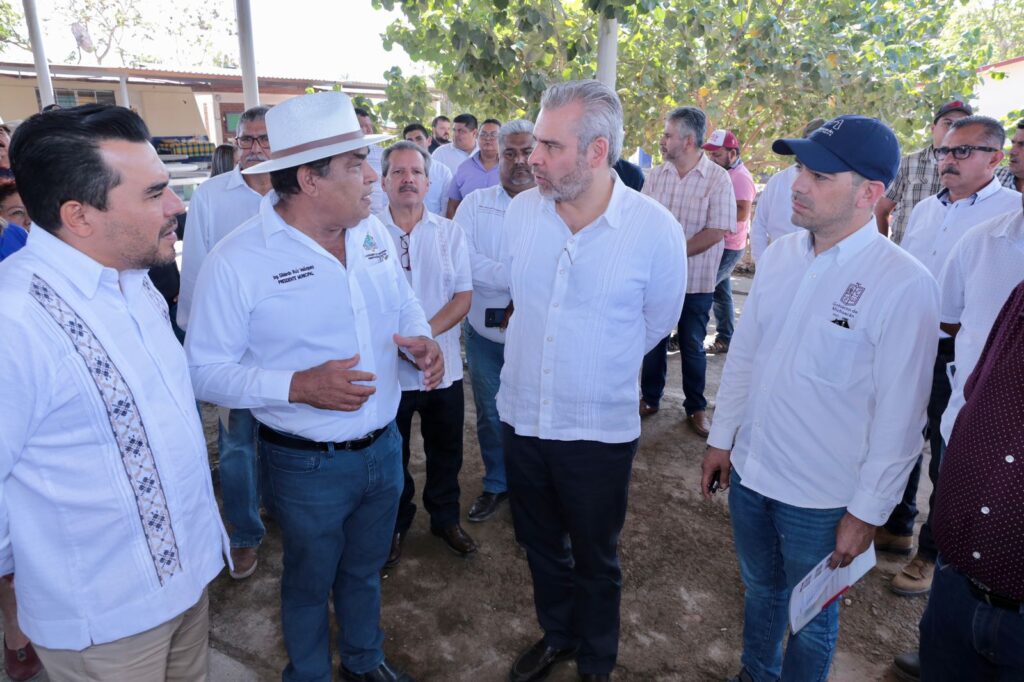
column 967, row 160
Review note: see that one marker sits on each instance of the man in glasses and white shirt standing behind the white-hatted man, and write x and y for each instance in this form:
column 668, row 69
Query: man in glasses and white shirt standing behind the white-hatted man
column 221, row 205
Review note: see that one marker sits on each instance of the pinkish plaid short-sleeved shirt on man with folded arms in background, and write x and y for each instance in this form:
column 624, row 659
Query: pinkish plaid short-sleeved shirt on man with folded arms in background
column 702, row 199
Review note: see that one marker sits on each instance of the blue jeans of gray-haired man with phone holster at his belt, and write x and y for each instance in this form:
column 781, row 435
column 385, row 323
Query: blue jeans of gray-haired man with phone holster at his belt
column 486, row 359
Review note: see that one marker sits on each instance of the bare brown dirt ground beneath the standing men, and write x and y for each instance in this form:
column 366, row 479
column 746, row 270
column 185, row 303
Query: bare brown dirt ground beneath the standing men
column 449, row 619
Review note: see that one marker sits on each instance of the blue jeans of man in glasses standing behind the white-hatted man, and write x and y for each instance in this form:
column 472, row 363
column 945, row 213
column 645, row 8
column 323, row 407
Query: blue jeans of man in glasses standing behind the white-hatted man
column 240, row 479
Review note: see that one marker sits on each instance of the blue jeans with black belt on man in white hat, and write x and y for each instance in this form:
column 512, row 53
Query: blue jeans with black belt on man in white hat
column 336, row 513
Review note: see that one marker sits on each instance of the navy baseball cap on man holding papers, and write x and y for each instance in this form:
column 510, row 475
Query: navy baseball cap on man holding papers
column 847, row 143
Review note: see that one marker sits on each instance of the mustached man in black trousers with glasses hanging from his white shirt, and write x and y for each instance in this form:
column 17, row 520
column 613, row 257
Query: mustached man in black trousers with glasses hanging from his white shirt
column 433, row 253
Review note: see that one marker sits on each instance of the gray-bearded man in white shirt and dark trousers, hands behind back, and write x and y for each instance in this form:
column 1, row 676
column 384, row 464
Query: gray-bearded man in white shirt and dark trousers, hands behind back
column 598, row 275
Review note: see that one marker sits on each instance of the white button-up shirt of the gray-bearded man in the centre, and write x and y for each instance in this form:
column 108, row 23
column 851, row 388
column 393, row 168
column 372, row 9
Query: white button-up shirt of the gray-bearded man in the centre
column 588, row 307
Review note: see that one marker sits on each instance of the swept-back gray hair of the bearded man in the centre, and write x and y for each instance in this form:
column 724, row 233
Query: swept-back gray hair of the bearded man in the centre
column 603, row 113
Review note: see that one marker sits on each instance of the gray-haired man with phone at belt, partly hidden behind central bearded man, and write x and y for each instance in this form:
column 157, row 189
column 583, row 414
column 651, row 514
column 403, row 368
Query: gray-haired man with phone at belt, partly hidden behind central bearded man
column 482, row 216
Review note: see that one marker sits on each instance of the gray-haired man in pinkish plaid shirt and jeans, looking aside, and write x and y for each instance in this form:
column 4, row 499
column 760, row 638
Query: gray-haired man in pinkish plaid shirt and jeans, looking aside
column 699, row 193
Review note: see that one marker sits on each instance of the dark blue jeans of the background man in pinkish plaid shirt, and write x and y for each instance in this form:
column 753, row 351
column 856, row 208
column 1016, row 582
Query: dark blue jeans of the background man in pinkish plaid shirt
column 693, row 329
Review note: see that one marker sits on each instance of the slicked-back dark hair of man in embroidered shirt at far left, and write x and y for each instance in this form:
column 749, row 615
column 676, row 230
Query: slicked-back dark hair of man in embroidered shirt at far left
column 56, row 158
